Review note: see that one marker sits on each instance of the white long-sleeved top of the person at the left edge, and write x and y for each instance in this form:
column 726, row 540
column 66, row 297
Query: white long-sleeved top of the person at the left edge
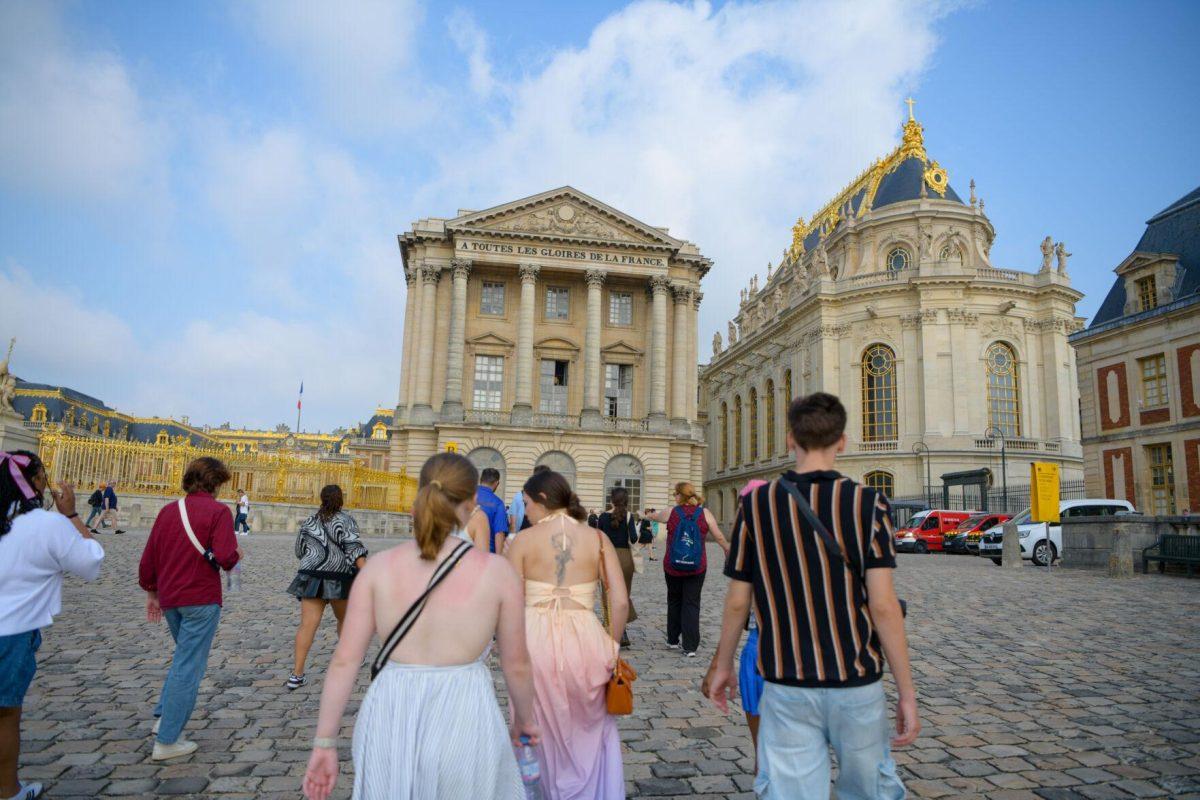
column 34, row 556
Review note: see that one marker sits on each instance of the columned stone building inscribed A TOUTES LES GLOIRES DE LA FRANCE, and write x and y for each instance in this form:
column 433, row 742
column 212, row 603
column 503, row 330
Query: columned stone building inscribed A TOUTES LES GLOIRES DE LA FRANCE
column 553, row 330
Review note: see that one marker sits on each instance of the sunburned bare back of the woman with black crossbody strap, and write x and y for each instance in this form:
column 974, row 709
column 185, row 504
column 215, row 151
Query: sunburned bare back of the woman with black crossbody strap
column 461, row 616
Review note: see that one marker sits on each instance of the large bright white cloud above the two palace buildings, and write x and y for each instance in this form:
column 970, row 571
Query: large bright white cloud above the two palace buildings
column 725, row 125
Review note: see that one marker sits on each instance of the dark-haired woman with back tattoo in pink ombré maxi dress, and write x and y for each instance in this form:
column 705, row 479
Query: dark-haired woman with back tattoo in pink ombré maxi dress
column 561, row 561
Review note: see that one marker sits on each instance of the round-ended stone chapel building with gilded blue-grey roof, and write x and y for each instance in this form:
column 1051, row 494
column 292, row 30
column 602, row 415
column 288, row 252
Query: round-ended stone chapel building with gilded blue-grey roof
column 889, row 298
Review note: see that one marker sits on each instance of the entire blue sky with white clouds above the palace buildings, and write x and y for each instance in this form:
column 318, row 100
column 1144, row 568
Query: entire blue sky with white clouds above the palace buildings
column 200, row 201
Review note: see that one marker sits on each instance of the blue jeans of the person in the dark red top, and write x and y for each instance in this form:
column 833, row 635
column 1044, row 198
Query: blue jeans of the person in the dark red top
column 193, row 628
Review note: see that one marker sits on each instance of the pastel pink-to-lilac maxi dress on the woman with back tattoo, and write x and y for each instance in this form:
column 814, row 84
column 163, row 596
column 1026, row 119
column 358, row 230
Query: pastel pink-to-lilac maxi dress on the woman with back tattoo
column 573, row 659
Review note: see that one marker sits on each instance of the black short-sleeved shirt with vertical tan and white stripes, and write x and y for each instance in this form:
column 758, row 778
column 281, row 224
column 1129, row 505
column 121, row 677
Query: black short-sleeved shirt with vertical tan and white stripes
column 814, row 627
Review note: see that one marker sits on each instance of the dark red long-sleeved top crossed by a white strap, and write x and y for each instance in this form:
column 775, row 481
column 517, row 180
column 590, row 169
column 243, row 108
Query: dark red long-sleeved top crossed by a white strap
column 171, row 564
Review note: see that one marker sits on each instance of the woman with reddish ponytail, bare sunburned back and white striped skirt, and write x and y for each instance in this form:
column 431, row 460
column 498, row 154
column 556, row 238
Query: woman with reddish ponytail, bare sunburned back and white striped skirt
column 430, row 725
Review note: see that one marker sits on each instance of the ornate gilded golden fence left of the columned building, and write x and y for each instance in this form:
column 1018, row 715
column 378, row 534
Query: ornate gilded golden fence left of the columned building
column 271, row 478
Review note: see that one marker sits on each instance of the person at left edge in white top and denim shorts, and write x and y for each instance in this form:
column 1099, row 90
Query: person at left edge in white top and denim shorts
column 38, row 548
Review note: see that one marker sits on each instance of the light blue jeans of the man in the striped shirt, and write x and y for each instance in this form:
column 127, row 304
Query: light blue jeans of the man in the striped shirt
column 800, row 725
